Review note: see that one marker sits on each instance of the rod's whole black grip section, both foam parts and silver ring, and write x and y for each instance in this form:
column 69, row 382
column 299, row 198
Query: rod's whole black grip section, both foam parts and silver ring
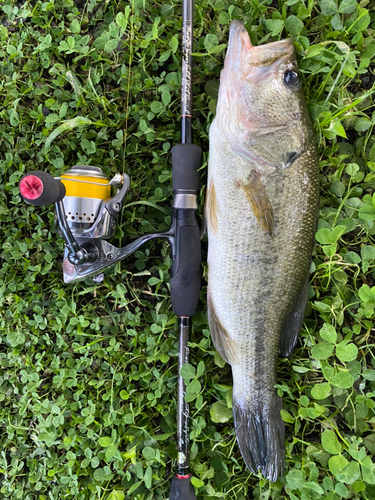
column 185, row 281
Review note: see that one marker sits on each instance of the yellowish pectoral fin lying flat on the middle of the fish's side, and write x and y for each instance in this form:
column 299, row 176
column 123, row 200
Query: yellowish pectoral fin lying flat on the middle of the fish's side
column 260, row 204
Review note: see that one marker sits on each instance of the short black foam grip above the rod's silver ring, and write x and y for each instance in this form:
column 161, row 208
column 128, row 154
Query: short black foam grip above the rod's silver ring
column 186, row 159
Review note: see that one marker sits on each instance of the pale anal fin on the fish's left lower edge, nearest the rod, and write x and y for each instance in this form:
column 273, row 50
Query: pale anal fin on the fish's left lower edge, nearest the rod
column 225, row 345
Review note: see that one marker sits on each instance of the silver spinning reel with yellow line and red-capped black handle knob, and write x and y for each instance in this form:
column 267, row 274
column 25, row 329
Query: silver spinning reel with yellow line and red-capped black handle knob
column 85, row 217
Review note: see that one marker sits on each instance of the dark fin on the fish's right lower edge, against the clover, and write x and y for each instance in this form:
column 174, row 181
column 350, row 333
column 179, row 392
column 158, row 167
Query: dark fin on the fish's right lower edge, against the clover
column 293, row 324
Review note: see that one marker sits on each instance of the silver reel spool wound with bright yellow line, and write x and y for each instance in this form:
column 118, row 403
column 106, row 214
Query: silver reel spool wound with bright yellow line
column 86, row 188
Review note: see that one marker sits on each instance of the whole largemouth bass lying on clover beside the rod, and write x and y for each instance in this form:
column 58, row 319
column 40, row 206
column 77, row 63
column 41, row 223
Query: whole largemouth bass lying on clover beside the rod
column 261, row 212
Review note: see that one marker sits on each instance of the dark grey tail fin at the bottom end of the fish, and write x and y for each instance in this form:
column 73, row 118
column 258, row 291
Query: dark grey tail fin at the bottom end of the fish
column 260, row 435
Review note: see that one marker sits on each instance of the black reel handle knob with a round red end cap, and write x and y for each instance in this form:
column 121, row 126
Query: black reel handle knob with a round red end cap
column 46, row 192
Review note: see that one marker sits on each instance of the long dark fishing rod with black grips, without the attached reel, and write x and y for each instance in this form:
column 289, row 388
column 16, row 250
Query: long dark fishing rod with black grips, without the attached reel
column 187, row 161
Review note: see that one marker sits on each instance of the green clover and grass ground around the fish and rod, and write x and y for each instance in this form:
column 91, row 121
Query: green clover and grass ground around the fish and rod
column 88, row 371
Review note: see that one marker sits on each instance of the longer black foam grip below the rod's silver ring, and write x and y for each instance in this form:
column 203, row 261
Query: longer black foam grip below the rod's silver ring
column 185, row 281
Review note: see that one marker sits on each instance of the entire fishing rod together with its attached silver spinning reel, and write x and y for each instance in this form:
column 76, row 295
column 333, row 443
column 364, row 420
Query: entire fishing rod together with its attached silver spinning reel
column 85, row 217
